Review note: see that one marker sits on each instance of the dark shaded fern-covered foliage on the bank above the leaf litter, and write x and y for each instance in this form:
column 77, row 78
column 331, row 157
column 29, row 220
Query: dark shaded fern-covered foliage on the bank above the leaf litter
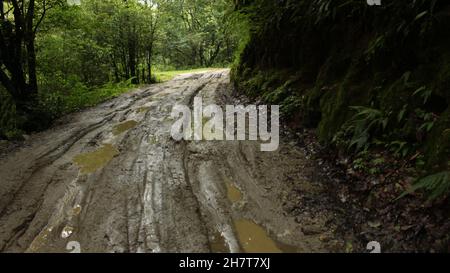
column 366, row 77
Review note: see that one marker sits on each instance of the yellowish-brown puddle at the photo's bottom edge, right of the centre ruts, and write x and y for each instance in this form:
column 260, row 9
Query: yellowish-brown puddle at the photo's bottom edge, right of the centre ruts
column 254, row 239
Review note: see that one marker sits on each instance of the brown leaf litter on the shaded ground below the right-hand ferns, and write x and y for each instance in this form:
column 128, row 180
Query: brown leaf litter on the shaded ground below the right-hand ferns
column 367, row 205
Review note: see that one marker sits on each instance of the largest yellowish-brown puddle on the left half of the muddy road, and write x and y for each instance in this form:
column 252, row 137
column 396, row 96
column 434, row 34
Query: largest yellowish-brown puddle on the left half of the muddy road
column 90, row 162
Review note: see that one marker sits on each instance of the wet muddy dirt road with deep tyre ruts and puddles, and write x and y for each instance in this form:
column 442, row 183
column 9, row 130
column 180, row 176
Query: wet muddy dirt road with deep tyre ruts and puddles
column 112, row 179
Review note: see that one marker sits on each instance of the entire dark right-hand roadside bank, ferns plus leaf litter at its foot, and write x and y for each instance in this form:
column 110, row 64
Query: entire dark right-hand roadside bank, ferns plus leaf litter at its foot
column 372, row 83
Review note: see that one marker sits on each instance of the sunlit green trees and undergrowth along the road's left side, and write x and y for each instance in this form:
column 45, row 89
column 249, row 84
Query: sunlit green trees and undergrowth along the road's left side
column 73, row 54
